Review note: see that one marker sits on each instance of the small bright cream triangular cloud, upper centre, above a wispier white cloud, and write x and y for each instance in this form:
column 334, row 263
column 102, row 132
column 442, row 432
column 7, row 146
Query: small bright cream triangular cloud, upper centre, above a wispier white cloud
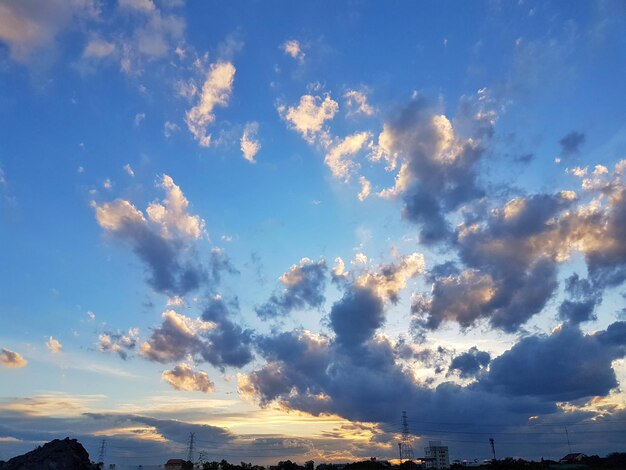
column 309, row 116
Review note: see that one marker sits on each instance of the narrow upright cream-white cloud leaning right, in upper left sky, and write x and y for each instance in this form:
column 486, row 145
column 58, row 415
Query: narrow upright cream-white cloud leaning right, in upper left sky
column 215, row 92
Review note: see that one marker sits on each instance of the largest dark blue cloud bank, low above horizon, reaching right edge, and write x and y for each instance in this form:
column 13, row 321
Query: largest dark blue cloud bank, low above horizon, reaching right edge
column 315, row 374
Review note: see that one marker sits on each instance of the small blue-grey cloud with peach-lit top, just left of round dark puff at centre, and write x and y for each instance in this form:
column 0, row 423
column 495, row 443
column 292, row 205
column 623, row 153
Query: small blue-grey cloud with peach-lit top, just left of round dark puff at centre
column 304, row 286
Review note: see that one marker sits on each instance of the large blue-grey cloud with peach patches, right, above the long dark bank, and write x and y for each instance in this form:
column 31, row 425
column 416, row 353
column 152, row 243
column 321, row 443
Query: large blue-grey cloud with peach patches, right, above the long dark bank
column 511, row 265
